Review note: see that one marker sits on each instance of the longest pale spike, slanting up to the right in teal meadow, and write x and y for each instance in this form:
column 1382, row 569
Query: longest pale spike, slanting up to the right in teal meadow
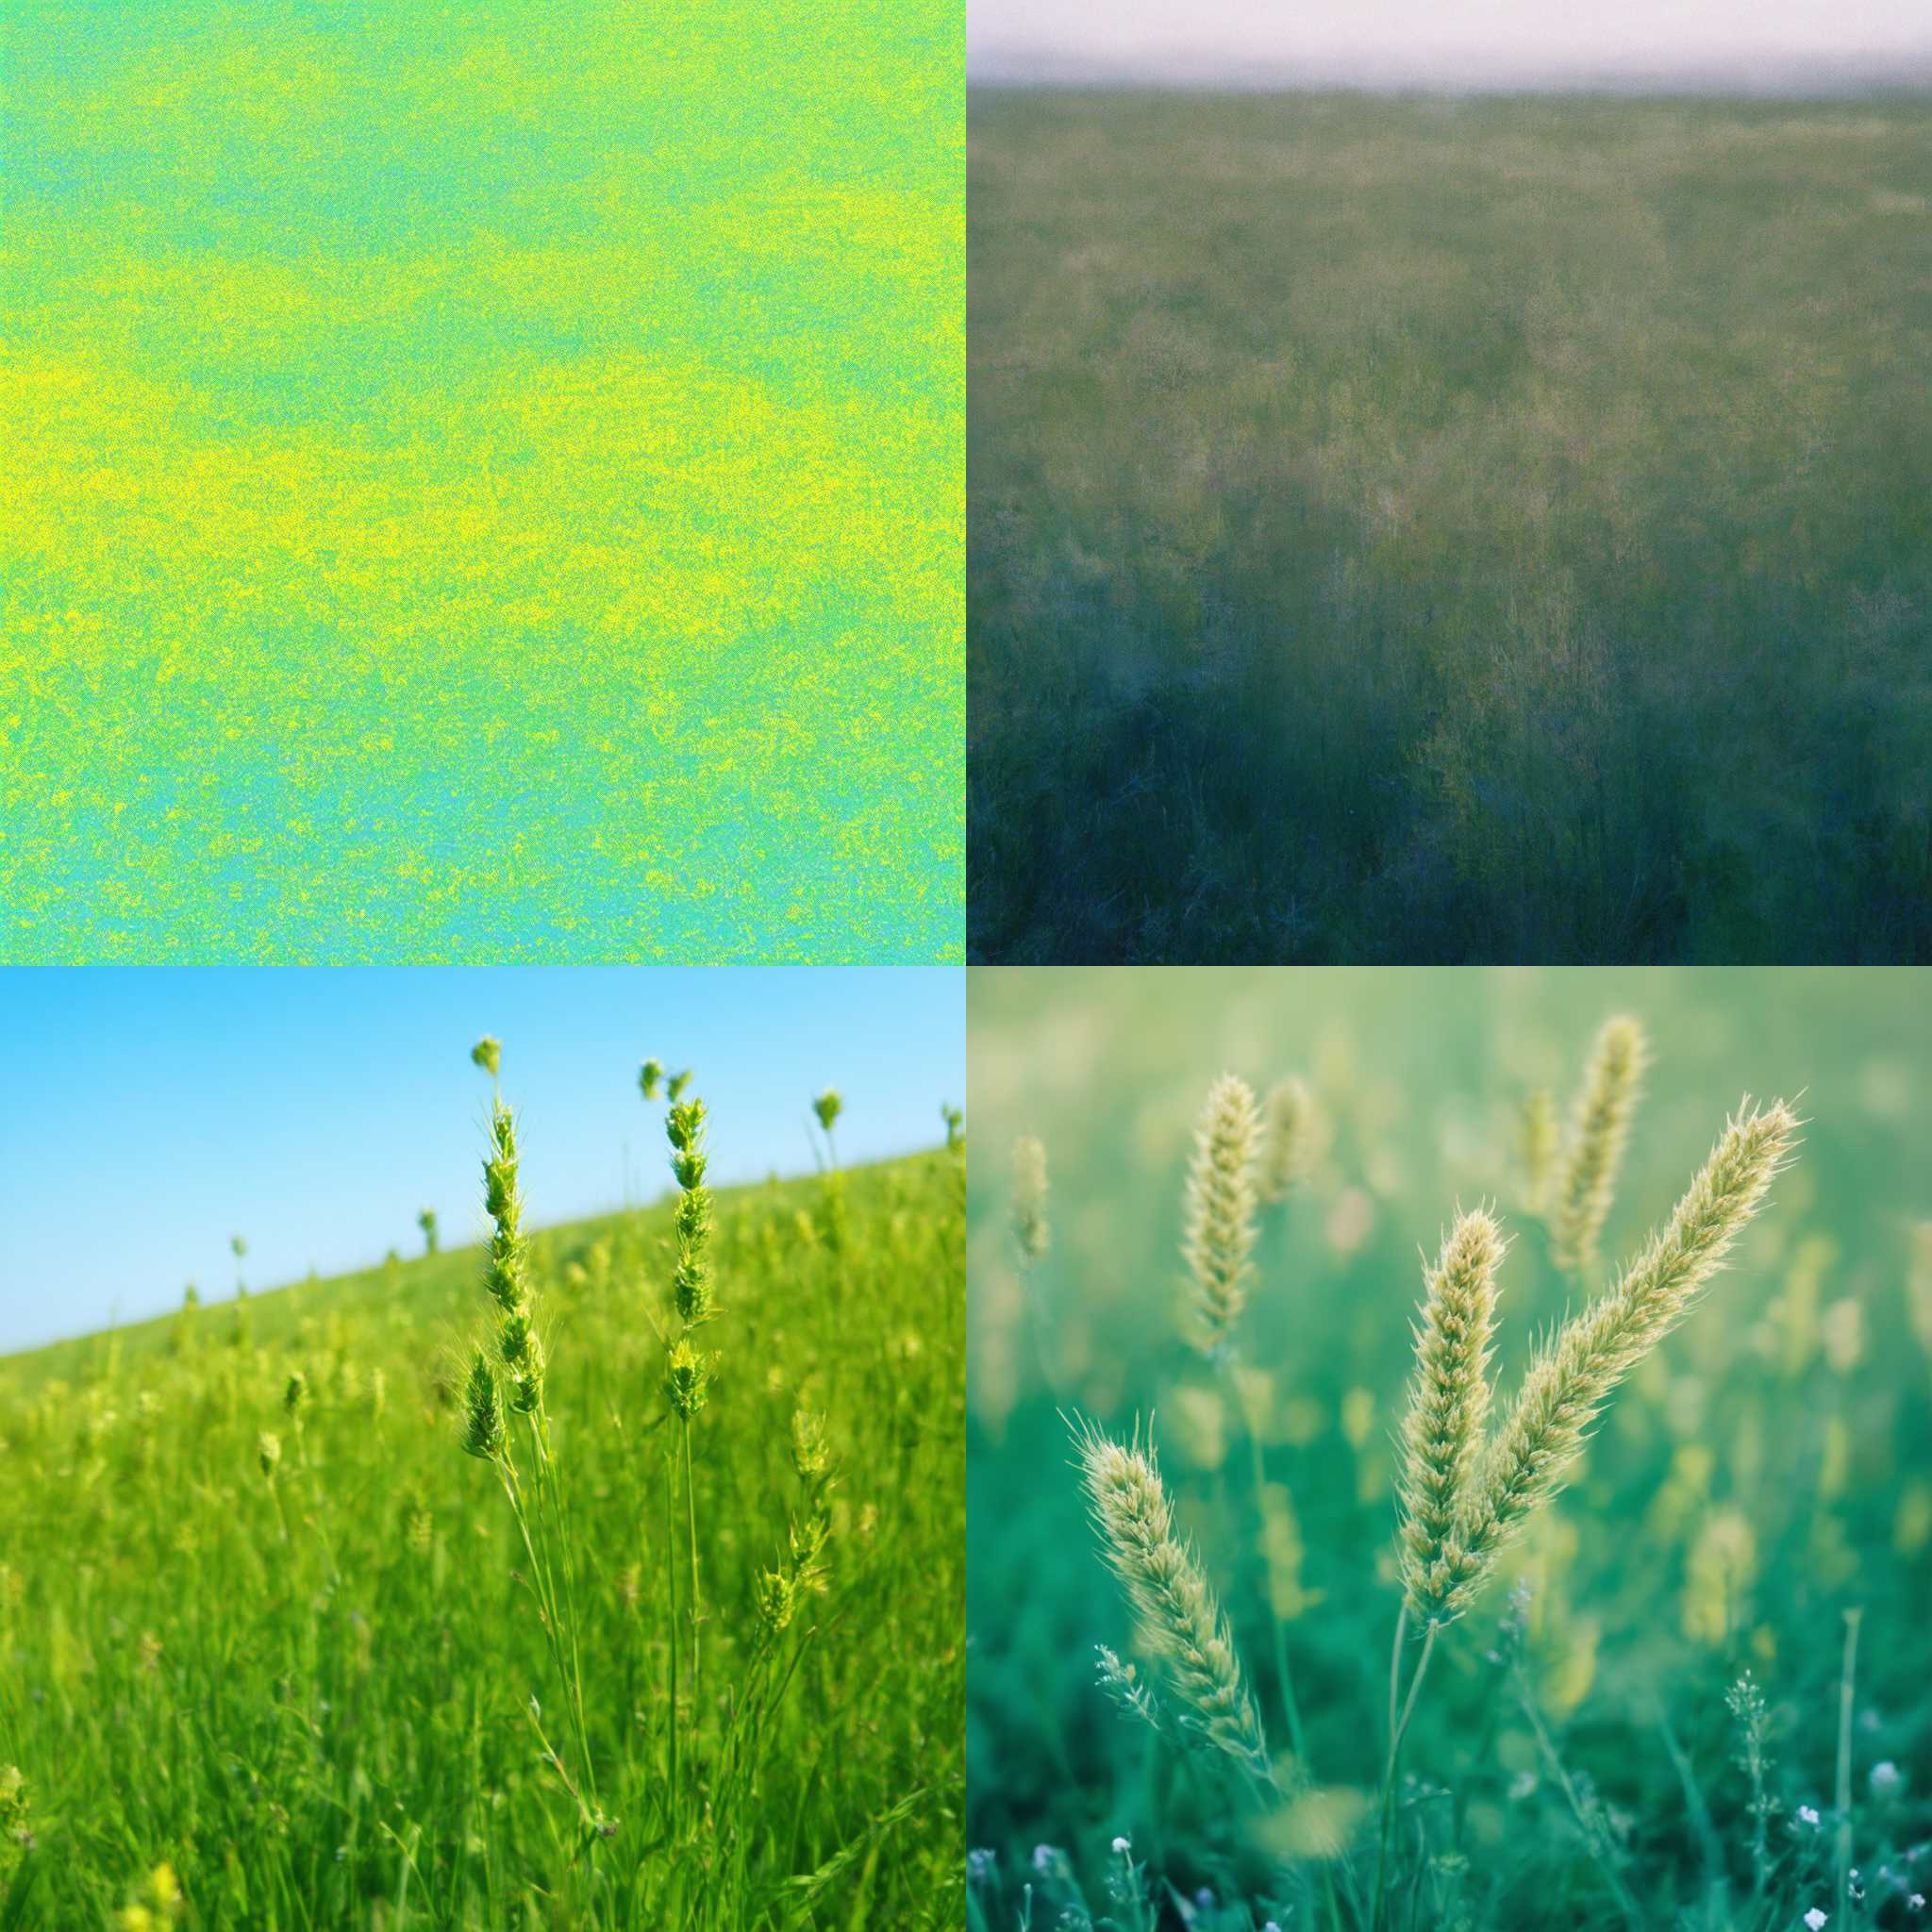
column 1574, row 1377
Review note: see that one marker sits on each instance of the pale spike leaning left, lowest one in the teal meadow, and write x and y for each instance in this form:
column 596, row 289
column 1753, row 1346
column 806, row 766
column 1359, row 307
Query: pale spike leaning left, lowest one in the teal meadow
column 1172, row 1599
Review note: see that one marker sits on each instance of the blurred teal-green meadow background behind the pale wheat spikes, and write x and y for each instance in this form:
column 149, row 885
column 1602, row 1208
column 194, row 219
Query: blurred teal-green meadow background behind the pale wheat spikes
column 1755, row 1494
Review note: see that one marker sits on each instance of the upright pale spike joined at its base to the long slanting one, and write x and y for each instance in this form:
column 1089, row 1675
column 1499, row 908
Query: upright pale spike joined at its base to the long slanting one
column 1448, row 1407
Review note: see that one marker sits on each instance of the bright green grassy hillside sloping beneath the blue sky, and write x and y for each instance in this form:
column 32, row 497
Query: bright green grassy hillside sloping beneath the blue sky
column 277, row 1655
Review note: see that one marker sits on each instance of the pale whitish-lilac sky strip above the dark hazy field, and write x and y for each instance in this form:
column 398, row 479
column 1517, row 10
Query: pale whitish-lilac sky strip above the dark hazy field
column 1458, row 42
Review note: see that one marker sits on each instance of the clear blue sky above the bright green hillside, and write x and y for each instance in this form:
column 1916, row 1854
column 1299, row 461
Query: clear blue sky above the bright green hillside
column 316, row 1112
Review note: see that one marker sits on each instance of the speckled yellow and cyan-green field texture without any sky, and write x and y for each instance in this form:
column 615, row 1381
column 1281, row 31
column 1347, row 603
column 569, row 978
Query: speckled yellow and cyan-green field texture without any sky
column 482, row 484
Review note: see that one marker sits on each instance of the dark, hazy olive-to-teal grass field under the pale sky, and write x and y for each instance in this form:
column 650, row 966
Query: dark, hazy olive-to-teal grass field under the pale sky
column 1431, row 532
